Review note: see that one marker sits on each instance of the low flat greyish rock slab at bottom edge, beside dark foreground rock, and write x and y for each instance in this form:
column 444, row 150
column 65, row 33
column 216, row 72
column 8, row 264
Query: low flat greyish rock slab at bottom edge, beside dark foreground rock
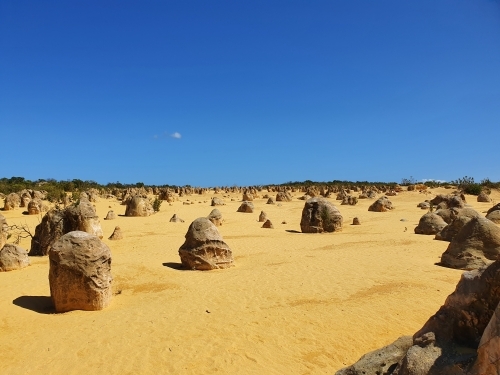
column 380, row 361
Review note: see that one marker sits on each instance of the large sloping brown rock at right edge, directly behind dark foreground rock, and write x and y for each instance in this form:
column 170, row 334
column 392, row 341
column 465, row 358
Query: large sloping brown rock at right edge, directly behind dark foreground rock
column 476, row 245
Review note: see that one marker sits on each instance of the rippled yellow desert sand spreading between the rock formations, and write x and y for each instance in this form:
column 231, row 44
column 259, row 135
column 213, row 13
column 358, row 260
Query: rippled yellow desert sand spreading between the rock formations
column 293, row 304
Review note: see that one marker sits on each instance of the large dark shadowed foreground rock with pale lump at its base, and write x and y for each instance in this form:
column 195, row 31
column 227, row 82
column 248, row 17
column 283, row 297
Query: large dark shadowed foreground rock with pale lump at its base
column 456, row 330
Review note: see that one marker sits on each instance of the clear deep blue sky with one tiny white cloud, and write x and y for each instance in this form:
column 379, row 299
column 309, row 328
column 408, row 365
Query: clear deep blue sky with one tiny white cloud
column 249, row 92
